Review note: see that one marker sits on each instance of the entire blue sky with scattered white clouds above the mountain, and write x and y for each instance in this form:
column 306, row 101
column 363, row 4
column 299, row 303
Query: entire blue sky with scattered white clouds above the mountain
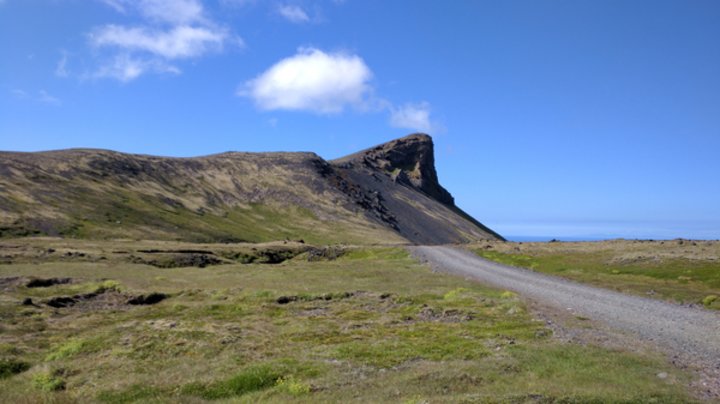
column 567, row 119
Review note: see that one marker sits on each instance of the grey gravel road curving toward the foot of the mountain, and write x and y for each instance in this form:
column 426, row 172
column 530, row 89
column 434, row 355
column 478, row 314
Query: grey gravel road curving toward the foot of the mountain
column 692, row 332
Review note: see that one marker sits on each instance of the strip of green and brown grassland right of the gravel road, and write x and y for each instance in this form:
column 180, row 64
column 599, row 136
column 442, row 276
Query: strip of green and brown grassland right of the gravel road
column 682, row 271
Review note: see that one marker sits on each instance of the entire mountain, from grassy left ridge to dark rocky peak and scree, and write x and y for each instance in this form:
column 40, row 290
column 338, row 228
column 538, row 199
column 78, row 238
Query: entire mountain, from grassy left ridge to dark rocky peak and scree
column 386, row 194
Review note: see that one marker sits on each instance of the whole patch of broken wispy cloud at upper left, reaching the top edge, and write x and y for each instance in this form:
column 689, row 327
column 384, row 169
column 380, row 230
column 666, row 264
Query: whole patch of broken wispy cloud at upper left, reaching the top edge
column 174, row 30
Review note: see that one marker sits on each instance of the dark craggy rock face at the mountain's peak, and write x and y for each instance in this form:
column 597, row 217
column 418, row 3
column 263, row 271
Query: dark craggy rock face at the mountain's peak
column 409, row 160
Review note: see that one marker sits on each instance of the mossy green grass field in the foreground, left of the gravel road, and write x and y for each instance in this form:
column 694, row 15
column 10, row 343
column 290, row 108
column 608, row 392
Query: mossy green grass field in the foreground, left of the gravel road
column 372, row 325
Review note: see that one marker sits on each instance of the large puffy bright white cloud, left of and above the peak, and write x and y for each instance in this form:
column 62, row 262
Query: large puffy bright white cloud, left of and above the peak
column 311, row 80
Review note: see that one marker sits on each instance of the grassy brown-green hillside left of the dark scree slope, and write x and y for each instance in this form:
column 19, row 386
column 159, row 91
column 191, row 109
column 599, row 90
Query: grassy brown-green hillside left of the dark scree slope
column 229, row 198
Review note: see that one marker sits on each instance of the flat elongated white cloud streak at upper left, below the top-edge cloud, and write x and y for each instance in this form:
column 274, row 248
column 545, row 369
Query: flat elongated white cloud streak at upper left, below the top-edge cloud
column 176, row 43
